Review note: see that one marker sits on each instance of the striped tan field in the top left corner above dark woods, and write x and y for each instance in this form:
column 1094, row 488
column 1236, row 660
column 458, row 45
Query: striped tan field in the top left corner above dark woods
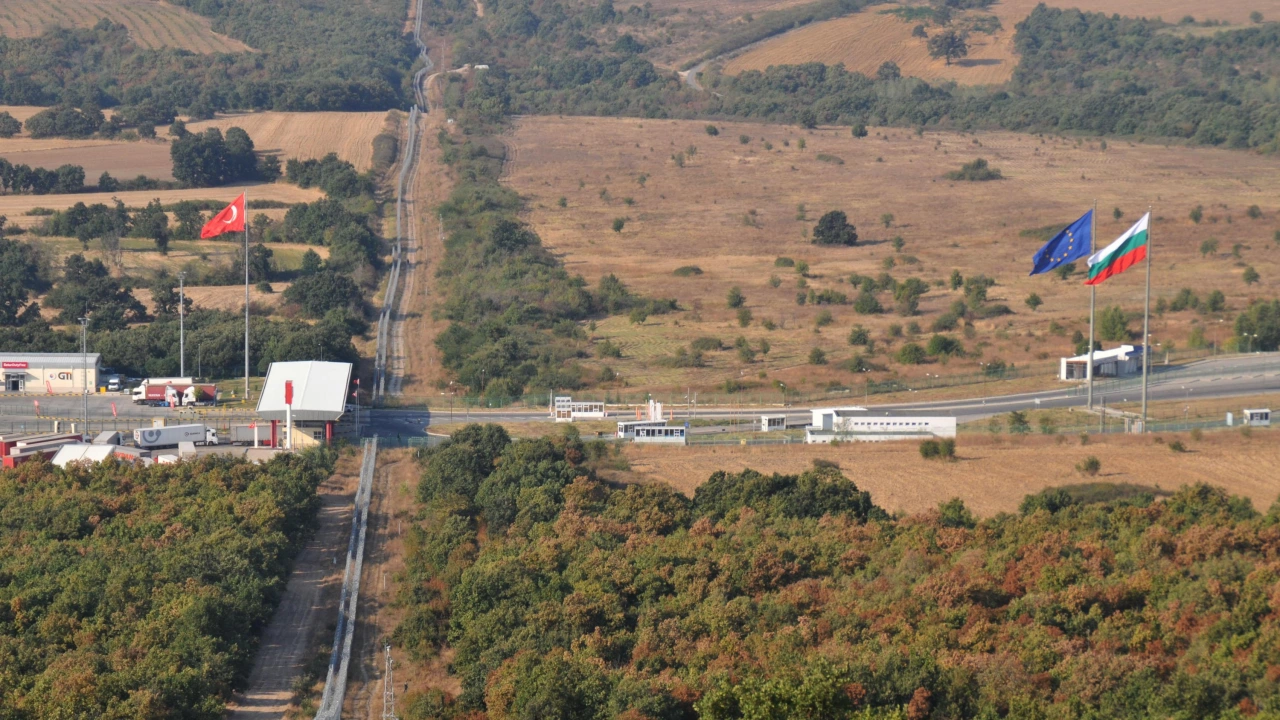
column 152, row 25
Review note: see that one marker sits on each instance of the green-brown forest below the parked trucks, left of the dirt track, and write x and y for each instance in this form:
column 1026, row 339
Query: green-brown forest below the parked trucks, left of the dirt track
column 139, row 593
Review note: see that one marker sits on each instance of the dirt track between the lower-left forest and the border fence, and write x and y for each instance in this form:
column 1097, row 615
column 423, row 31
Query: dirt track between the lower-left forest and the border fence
column 305, row 618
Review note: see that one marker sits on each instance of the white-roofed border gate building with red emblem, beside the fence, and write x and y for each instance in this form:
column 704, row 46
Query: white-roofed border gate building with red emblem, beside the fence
column 312, row 397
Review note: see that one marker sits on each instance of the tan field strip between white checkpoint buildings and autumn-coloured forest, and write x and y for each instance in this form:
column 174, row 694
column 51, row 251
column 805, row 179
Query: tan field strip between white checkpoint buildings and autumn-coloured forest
column 993, row 475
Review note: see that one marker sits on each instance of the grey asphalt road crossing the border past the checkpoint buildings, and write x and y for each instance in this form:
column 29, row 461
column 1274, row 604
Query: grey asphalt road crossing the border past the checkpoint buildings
column 1214, row 379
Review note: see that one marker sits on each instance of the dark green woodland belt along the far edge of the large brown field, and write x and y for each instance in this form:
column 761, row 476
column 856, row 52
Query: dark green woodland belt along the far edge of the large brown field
column 1078, row 72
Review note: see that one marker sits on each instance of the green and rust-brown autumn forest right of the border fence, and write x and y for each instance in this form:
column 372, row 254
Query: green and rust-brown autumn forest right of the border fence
column 794, row 596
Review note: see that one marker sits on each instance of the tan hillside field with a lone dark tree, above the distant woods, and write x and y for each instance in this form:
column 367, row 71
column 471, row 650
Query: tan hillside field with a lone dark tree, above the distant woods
column 866, row 40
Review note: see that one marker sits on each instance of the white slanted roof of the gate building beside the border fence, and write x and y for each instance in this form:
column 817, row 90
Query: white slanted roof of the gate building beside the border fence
column 321, row 390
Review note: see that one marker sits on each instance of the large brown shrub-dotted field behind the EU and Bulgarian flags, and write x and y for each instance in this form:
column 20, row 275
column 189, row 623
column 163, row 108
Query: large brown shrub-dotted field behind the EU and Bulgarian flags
column 702, row 215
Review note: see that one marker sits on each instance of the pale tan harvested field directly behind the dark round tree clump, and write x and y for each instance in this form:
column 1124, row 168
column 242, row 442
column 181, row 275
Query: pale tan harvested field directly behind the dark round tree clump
column 308, row 135
